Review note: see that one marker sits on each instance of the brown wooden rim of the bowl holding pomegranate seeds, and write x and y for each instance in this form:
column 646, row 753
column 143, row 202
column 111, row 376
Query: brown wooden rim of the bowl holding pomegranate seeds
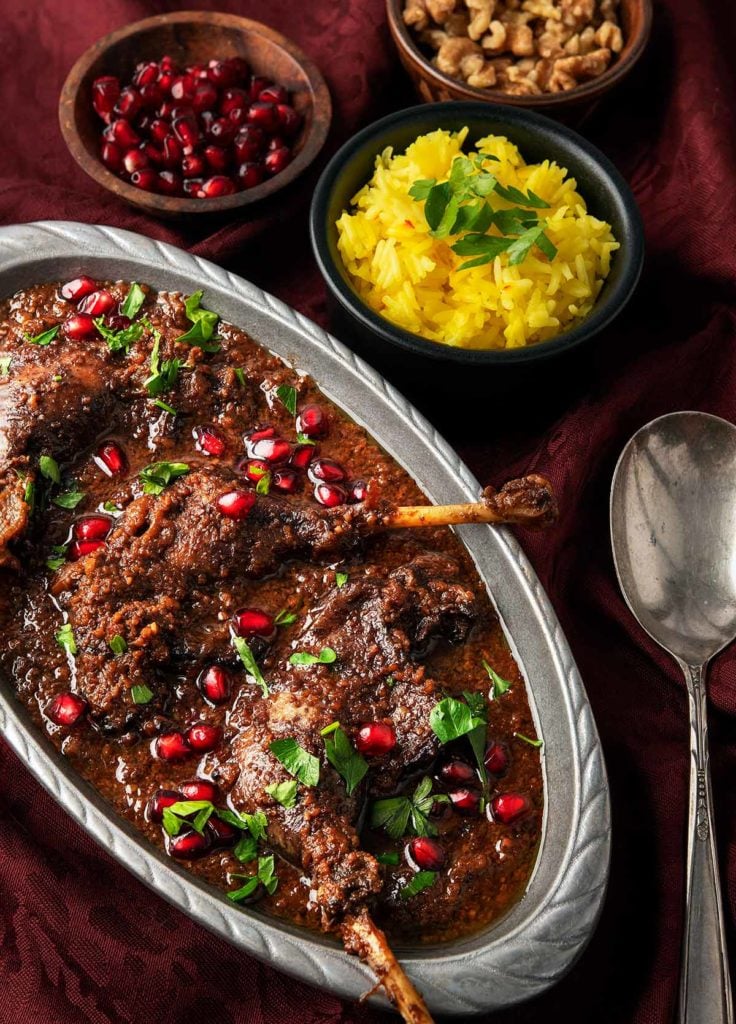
column 155, row 202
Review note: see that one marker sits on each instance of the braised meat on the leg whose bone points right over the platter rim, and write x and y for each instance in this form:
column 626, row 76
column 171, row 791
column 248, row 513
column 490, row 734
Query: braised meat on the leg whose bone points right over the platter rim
column 166, row 551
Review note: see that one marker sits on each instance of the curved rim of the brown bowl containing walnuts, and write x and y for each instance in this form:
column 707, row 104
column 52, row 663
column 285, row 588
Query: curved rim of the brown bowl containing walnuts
column 633, row 51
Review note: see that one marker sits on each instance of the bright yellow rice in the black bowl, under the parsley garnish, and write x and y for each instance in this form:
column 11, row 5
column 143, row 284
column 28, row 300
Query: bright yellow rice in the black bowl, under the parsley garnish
column 414, row 280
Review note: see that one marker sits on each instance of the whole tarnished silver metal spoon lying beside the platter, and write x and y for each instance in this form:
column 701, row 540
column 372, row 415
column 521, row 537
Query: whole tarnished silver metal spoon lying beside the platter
column 674, row 536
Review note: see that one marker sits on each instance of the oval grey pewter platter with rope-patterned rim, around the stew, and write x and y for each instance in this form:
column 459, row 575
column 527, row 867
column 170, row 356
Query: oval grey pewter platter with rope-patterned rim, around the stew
column 540, row 940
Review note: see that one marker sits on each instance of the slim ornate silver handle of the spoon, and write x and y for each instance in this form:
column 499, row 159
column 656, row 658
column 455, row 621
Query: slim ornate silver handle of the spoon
column 705, row 986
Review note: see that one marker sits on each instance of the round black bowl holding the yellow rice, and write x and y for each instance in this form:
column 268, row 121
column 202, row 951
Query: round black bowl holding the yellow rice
column 608, row 195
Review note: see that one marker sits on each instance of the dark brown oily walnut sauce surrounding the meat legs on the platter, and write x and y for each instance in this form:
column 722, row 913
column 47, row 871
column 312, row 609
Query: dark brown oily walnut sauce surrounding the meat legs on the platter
column 488, row 864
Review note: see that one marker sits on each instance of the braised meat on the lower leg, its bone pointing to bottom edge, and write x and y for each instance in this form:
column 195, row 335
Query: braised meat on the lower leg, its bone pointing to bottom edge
column 379, row 627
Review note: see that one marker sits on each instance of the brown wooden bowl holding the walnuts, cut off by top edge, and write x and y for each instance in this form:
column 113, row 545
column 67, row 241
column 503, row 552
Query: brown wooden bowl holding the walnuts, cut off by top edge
column 434, row 87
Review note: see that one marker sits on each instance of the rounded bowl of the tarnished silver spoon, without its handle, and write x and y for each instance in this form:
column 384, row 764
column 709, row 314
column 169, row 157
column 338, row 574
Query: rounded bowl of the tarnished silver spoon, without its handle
column 674, row 533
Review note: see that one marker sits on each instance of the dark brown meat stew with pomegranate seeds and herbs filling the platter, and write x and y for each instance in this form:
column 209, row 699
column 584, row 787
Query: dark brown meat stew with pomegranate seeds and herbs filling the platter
column 314, row 714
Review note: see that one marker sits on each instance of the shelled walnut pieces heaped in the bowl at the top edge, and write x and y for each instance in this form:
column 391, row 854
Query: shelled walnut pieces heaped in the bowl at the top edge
column 522, row 48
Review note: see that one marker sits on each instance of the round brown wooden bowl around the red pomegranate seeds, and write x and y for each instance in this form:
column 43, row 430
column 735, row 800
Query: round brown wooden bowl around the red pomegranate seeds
column 194, row 37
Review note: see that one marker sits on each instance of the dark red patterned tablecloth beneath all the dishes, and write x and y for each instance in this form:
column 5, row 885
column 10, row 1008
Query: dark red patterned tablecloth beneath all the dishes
column 81, row 941
